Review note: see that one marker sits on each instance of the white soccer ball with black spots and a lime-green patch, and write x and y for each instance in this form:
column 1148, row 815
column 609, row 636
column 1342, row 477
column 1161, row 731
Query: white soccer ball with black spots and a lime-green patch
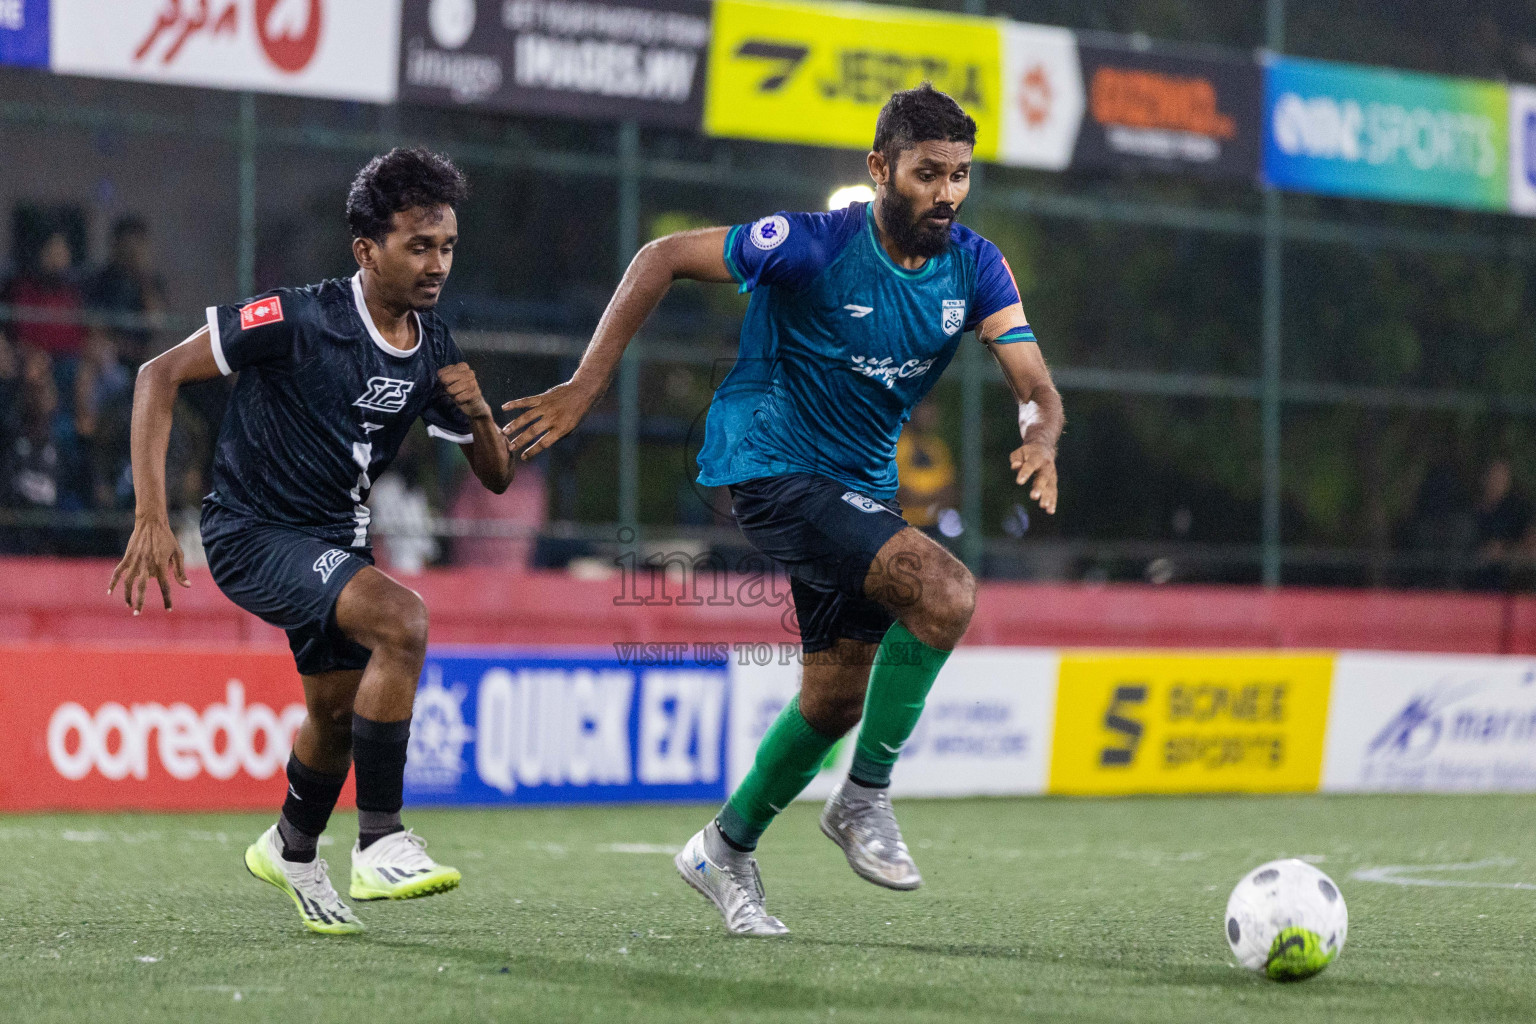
column 1288, row 920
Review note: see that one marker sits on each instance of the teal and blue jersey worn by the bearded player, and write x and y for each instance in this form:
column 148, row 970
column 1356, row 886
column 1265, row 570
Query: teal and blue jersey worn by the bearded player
column 839, row 346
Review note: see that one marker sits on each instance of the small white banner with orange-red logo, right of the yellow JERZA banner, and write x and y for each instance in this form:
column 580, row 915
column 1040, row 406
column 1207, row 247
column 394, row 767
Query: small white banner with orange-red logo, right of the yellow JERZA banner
column 1042, row 96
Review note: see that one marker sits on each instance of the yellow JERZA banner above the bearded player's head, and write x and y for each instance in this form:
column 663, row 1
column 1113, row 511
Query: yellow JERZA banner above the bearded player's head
column 819, row 74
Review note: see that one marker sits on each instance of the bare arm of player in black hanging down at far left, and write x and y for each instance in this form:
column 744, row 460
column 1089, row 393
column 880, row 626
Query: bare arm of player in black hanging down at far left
column 154, row 552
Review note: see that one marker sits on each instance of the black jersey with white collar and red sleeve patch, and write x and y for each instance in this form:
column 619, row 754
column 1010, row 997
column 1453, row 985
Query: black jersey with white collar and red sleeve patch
column 322, row 406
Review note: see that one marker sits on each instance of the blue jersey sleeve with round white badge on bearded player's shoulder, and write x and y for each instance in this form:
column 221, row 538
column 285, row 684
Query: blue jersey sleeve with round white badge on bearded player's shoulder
column 787, row 249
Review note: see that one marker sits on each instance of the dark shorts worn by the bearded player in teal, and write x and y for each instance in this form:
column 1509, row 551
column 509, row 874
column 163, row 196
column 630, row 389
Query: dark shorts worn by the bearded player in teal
column 827, row 535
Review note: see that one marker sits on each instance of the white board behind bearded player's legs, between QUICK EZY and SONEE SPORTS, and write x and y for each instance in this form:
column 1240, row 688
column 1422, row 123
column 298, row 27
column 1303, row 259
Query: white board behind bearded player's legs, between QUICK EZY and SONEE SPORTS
column 985, row 732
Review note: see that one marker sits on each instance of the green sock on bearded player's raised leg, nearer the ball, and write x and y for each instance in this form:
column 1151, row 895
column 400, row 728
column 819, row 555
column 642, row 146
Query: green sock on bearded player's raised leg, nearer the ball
column 904, row 672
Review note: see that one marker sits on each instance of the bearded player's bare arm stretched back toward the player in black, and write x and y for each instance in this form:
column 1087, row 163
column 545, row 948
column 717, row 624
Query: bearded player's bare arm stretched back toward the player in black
column 698, row 256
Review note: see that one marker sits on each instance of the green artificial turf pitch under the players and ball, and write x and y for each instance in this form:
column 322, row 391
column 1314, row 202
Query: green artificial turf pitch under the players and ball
column 1033, row 910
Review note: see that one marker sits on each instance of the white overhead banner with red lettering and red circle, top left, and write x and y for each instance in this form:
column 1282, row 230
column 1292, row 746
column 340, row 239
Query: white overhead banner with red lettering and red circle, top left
column 342, row 50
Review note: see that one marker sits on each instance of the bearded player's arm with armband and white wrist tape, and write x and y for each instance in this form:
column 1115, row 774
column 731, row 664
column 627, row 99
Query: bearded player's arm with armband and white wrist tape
column 1041, row 412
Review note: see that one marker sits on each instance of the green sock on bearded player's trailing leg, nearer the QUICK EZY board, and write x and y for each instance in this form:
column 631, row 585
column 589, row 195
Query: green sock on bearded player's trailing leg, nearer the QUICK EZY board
column 787, row 761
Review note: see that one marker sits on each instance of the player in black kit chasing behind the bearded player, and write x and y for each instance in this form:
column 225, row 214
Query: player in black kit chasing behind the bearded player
column 333, row 377
